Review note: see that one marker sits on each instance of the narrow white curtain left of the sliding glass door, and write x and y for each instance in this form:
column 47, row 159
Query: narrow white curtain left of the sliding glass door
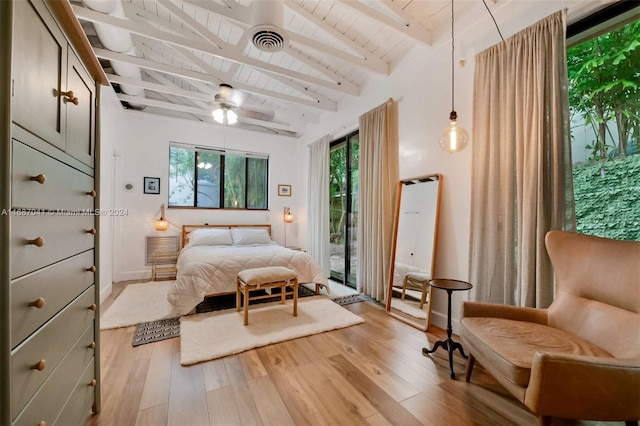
column 318, row 215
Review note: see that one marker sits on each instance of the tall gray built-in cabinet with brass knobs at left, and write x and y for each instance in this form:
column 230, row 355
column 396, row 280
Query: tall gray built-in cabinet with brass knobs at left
column 49, row 298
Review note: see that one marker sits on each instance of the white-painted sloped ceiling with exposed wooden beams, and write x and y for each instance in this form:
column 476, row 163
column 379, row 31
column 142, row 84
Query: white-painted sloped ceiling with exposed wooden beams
column 288, row 61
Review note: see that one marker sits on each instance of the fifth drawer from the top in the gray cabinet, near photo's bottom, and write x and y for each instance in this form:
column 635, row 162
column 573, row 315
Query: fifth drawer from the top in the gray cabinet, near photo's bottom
column 46, row 404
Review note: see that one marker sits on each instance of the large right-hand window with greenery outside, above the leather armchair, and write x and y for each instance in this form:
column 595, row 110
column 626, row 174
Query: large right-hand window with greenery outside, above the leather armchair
column 604, row 95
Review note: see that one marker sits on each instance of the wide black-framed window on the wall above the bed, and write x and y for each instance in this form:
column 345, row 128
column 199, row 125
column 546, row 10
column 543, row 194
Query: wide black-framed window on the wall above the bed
column 217, row 178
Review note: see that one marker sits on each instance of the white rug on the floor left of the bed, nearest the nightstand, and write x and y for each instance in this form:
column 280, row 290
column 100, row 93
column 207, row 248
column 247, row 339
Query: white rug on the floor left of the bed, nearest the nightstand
column 139, row 303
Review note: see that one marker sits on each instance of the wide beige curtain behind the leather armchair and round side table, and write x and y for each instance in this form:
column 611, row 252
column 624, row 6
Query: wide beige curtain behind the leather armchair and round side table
column 521, row 167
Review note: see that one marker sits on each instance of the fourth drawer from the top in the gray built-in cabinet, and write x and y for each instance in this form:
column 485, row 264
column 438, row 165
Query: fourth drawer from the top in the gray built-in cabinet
column 50, row 343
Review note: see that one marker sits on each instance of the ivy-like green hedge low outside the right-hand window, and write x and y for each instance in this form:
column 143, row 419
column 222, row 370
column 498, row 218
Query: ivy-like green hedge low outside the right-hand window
column 607, row 196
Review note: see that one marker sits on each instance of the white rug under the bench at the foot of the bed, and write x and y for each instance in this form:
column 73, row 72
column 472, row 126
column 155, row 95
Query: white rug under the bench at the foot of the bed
column 212, row 335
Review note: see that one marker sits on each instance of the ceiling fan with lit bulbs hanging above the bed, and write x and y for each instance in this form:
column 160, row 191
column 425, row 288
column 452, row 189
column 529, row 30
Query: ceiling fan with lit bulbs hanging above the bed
column 229, row 105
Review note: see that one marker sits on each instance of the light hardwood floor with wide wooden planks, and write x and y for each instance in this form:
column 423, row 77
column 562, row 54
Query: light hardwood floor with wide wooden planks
column 370, row 374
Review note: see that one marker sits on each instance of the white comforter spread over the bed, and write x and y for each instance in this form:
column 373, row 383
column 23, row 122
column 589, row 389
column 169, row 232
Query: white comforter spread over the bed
column 205, row 270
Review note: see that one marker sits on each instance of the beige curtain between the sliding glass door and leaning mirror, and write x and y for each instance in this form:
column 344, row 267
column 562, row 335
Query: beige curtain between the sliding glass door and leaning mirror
column 378, row 182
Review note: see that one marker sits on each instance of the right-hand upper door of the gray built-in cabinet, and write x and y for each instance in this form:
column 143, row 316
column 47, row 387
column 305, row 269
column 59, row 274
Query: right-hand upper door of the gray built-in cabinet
column 80, row 126
